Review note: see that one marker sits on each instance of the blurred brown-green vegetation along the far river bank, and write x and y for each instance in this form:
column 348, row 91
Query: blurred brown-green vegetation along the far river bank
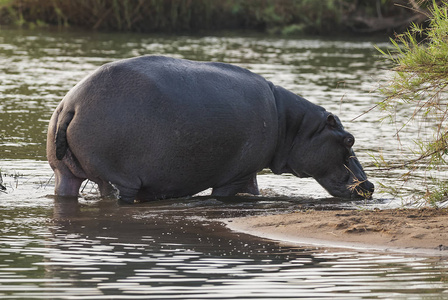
column 272, row 16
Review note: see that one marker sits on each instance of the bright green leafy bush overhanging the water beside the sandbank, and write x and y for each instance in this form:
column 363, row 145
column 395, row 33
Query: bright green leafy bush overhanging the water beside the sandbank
column 419, row 88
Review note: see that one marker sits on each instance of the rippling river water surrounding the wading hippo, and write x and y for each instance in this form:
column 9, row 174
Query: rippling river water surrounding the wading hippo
column 98, row 249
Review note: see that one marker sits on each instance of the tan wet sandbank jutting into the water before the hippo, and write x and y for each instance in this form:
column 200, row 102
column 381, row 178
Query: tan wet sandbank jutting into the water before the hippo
column 423, row 231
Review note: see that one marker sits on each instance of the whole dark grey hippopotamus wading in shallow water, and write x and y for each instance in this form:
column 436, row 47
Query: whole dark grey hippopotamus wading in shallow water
column 155, row 127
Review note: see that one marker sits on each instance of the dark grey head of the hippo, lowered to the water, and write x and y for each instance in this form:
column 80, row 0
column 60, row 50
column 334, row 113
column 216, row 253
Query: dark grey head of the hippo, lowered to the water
column 326, row 154
